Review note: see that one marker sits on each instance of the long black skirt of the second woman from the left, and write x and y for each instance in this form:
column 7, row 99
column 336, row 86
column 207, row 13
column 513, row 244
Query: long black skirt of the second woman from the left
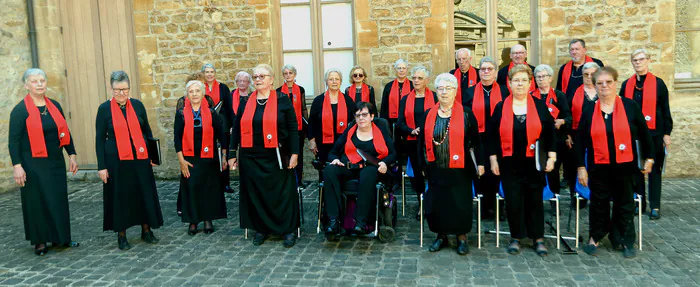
column 130, row 195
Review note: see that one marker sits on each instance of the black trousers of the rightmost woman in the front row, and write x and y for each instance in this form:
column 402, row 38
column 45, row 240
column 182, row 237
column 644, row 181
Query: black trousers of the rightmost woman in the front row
column 616, row 184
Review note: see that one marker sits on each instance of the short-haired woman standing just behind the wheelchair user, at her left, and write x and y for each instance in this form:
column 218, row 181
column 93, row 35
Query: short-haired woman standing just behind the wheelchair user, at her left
column 331, row 112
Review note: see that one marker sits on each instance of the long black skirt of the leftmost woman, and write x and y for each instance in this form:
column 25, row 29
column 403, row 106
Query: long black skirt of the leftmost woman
column 45, row 199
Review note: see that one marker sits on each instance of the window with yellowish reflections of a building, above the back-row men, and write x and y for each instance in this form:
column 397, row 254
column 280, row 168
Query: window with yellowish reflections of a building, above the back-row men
column 491, row 27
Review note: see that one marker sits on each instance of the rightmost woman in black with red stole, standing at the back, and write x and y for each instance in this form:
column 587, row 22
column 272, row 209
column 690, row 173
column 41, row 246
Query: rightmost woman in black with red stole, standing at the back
column 651, row 94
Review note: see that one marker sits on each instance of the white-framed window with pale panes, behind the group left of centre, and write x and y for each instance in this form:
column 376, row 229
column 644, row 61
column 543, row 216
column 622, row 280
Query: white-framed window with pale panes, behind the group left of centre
column 317, row 35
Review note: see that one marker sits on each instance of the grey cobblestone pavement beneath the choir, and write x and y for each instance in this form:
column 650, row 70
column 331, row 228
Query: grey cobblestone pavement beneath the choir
column 226, row 258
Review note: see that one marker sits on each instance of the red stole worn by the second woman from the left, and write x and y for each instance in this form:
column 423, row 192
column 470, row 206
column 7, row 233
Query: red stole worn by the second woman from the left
column 126, row 131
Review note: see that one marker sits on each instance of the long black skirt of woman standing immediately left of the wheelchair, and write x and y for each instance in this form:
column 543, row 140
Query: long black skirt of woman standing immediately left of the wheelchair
column 268, row 202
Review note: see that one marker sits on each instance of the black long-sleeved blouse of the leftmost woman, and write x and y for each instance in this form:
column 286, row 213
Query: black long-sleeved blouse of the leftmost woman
column 18, row 141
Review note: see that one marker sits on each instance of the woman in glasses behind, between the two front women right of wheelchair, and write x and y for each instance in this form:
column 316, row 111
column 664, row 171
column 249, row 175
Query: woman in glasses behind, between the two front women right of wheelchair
column 482, row 99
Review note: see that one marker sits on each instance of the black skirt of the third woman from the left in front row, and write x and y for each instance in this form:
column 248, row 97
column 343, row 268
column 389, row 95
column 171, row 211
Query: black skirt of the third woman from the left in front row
column 202, row 198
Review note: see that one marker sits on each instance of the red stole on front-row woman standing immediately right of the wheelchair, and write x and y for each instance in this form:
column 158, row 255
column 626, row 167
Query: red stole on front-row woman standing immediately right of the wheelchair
column 456, row 134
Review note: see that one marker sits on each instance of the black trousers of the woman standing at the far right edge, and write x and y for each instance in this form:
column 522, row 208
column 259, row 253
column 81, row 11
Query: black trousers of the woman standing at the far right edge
column 654, row 176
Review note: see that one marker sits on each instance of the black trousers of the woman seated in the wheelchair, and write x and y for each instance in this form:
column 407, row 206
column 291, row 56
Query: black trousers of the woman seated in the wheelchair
column 334, row 179
